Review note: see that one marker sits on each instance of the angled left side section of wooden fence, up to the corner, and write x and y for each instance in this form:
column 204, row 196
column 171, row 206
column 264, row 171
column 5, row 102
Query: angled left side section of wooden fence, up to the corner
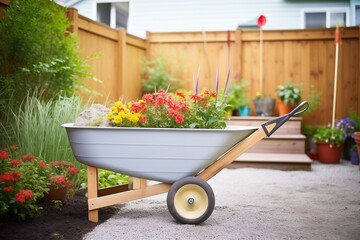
column 116, row 60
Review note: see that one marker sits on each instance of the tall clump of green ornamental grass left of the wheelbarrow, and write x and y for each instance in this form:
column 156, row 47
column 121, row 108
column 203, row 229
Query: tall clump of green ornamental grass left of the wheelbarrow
column 35, row 125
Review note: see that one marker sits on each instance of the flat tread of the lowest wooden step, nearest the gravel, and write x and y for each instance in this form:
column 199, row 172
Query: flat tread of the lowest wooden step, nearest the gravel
column 274, row 157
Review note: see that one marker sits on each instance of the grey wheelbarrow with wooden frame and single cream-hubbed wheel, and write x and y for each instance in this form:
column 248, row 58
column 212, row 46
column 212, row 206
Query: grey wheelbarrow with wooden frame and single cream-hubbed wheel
column 182, row 160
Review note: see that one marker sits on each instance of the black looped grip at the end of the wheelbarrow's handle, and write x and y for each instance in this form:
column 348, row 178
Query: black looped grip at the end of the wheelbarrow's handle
column 279, row 121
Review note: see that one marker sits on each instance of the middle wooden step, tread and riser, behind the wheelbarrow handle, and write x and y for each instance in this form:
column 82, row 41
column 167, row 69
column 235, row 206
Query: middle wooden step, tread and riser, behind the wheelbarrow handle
column 291, row 143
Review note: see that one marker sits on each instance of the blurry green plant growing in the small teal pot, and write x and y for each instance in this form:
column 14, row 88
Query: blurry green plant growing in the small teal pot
column 237, row 97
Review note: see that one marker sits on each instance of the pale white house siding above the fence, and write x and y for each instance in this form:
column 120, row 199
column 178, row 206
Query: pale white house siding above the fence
column 209, row 15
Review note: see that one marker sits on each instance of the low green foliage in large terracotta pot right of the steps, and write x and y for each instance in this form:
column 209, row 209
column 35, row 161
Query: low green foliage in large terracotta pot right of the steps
column 330, row 135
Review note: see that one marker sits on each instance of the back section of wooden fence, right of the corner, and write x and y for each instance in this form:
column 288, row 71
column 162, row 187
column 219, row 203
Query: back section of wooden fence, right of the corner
column 305, row 57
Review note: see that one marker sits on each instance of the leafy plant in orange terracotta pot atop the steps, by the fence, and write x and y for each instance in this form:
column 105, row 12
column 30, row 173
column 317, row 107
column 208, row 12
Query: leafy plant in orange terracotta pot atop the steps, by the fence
column 289, row 93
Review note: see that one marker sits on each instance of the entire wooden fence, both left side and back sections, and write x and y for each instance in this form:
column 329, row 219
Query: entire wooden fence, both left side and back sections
column 305, row 57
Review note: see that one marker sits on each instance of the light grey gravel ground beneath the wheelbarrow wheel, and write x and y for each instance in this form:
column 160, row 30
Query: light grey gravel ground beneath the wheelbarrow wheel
column 255, row 204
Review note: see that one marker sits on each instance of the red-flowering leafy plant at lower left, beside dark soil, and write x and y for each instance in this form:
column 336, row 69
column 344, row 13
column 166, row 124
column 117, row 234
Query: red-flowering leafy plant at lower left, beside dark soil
column 25, row 179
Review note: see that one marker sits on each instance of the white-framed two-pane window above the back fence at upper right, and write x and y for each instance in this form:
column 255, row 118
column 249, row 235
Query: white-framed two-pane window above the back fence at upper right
column 313, row 18
